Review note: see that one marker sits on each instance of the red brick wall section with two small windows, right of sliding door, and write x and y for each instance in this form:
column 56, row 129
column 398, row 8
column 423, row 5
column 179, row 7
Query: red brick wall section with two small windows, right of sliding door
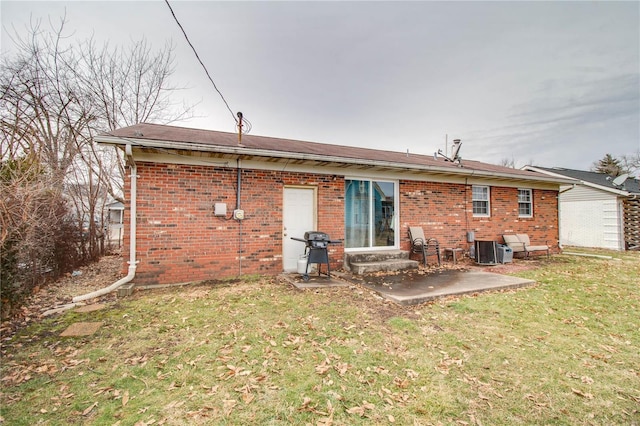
column 445, row 212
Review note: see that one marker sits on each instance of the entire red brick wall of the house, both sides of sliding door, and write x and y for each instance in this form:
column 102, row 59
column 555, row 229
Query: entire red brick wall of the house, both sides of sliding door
column 180, row 239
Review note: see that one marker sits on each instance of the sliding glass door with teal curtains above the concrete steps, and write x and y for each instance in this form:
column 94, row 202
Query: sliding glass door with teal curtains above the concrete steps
column 370, row 208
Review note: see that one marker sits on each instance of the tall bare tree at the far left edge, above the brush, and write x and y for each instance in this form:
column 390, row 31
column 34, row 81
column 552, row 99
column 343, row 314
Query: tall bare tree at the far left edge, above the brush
column 37, row 107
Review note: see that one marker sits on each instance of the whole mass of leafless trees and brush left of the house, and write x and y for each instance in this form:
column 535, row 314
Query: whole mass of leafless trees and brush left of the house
column 55, row 95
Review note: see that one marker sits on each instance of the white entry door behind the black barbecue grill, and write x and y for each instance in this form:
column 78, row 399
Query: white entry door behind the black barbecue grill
column 298, row 217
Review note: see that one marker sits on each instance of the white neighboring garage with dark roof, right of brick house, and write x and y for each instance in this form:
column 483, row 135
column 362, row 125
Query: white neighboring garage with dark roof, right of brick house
column 598, row 210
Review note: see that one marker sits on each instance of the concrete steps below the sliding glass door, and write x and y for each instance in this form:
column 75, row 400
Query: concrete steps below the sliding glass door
column 380, row 261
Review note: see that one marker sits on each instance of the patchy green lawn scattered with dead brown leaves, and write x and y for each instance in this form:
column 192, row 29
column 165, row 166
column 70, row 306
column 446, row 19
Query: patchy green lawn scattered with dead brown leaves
column 565, row 351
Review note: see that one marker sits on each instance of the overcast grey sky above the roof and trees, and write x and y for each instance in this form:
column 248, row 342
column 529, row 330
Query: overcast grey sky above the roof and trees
column 542, row 83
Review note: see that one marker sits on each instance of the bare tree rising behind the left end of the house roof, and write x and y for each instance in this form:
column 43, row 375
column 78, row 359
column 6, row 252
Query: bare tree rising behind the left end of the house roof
column 126, row 86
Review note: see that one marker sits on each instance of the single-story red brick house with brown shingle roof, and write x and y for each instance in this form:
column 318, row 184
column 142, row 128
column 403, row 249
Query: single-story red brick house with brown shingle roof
column 207, row 205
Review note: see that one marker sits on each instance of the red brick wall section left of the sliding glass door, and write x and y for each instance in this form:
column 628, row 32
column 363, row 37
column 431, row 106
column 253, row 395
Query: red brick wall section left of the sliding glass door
column 179, row 239
